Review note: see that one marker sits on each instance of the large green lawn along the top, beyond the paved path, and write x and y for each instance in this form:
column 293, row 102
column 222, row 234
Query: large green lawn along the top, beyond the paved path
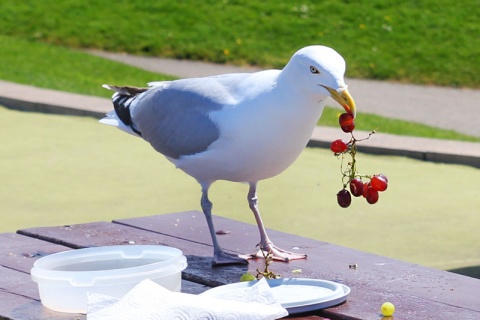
column 427, row 41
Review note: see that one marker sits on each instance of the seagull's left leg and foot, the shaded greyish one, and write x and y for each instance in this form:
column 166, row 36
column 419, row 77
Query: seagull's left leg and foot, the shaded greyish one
column 219, row 256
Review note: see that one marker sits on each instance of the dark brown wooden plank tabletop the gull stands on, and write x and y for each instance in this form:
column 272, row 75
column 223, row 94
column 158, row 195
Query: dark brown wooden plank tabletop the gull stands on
column 418, row 292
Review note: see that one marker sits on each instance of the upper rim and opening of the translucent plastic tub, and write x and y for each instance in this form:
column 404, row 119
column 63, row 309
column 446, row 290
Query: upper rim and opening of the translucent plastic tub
column 97, row 265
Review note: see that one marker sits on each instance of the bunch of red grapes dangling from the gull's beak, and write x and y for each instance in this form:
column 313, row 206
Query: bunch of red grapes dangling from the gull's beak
column 351, row 178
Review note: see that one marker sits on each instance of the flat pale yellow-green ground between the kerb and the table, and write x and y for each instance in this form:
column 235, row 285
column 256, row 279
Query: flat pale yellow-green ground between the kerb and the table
column 64, row 170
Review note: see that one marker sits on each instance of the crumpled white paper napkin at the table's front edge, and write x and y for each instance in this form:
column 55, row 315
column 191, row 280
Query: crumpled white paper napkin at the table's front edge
column 148, row 300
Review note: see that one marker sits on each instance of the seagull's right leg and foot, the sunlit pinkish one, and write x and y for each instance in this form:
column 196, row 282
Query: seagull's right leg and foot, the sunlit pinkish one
column 265, row 243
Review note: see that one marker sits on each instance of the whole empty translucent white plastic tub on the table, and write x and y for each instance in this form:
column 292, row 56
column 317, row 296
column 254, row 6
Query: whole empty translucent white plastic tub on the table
column 64, row 278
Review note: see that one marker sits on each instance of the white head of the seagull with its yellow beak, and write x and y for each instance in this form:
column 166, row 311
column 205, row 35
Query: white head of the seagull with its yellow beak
column 320, row 70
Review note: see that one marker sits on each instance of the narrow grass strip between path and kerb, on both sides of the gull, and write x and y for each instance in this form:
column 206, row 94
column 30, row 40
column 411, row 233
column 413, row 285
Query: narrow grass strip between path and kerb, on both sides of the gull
column 75, row 71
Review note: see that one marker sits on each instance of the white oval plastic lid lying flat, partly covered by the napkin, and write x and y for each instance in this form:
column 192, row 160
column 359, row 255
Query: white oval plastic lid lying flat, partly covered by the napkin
column 297, row 295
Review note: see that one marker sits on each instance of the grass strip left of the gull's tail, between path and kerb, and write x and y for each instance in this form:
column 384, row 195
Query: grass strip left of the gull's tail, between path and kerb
column 59, row 68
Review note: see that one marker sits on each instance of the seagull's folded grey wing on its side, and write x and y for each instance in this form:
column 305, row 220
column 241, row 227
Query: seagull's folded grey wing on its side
column 175, row 120
